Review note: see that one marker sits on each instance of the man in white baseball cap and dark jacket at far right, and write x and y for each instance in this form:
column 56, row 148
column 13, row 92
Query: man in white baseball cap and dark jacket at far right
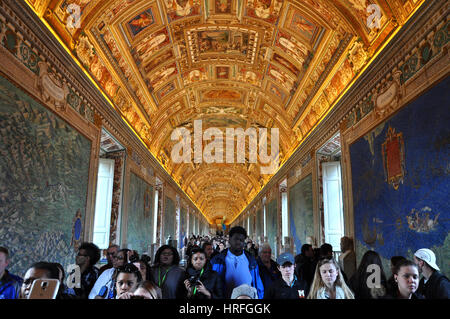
column 433, row 285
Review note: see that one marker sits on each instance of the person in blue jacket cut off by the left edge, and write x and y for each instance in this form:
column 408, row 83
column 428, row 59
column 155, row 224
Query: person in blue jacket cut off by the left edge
column 9, row 283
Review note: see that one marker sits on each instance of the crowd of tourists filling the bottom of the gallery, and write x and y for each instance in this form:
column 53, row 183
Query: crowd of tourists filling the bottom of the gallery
column 233, row 267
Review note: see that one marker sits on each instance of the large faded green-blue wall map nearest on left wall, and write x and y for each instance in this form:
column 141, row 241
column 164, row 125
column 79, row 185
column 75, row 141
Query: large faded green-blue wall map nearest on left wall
column 44, row 171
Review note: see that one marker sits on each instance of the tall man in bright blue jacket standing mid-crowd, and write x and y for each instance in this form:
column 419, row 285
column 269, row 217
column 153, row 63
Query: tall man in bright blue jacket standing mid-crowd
column 236, row 266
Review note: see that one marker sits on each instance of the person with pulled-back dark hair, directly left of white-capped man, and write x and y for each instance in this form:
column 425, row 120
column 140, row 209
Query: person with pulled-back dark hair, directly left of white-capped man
column 406, row 278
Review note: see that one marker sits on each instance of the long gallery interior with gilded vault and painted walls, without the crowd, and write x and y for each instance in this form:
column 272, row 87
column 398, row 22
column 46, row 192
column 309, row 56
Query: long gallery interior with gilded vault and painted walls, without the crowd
column 143, row 123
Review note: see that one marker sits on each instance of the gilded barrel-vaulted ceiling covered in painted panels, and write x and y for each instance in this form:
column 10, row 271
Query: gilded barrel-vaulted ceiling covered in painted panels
column 232, row 64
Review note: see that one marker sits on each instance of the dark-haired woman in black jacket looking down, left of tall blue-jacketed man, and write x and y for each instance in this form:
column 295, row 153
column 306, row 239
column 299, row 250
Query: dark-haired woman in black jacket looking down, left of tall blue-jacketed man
column 201, row 281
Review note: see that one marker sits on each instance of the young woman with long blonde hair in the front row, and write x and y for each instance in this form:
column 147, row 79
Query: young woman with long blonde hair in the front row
column 328, row 282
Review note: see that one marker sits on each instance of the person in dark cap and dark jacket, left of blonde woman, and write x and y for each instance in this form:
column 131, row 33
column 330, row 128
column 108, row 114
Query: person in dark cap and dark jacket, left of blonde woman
column 288, row 286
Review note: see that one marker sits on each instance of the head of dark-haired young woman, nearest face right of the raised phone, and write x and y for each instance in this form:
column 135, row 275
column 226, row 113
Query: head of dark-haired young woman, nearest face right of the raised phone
column 126, row 278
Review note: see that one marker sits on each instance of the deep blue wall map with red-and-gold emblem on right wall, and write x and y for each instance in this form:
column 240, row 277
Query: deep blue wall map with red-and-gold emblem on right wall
column 400, row 181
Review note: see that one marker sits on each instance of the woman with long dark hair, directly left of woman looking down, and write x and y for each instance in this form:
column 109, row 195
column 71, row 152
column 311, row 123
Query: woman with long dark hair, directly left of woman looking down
column 167, row 273
